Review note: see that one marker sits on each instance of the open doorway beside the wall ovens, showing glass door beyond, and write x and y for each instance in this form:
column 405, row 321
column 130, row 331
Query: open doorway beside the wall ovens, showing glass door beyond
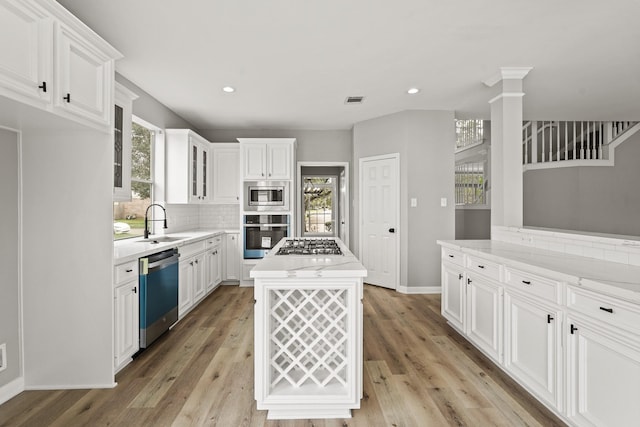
column 322, row 200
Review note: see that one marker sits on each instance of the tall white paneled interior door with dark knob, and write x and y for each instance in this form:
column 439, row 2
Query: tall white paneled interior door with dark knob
column 379, row 212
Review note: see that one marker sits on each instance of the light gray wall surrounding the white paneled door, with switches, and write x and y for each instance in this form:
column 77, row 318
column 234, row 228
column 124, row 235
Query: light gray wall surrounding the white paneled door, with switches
column 424, row 140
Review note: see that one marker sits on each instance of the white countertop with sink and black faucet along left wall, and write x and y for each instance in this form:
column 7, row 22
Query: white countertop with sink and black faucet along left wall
column 131, row 249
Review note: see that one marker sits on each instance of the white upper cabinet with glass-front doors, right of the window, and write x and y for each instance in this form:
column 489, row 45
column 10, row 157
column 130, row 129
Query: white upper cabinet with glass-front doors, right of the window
column 187, row 173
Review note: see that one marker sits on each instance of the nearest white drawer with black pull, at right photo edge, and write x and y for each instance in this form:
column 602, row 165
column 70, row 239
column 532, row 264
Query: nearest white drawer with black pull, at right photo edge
column 610, row 310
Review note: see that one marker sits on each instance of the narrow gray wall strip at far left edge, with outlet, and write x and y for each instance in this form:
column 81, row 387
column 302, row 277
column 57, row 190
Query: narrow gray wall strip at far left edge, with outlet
column 9, row 249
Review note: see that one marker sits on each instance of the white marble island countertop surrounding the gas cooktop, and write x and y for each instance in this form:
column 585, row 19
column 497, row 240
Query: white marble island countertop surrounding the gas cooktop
column 278, row 266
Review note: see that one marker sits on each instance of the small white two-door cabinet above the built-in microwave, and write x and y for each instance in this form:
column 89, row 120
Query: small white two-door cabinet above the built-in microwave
column 267, row 158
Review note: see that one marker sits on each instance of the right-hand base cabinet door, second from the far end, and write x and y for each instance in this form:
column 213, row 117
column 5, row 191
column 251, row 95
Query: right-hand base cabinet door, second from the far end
column 484, row 315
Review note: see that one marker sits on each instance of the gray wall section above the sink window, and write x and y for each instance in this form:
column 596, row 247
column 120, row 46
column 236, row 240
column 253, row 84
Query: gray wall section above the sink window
column 151, row 110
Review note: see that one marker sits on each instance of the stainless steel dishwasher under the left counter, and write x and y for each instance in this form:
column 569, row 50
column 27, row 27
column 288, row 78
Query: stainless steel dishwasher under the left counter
column 158, row 294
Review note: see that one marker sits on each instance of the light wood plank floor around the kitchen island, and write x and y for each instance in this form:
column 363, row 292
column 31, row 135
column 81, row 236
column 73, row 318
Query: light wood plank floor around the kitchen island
column 417, row 372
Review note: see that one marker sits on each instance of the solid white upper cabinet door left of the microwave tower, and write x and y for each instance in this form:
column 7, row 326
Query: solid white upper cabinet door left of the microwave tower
column 226, row 175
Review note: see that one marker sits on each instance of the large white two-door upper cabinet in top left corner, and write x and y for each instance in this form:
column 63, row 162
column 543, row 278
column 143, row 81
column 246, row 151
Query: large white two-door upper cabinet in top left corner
column 50, row 60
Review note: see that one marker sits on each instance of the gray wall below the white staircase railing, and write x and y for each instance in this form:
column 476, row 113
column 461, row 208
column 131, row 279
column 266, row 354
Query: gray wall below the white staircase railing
column 592, row 199
